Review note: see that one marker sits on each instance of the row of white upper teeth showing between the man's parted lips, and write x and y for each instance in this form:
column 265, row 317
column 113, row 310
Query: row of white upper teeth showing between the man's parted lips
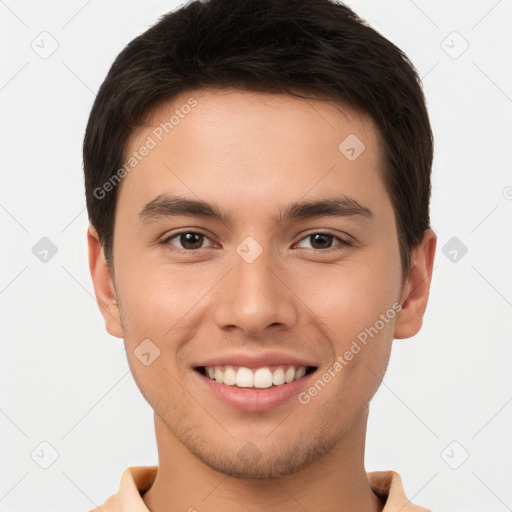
column 255, row 378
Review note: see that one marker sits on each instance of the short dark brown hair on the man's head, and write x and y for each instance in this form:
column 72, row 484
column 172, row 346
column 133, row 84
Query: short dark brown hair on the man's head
column 317, row 47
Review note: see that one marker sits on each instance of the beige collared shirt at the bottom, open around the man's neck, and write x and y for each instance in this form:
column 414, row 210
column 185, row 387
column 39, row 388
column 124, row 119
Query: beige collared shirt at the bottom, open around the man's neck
column 138, row 479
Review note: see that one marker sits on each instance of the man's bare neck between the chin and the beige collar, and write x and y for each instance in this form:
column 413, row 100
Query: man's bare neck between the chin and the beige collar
column 336, row 481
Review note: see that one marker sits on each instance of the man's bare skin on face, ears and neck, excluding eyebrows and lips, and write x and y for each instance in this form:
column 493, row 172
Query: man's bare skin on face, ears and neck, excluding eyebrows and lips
column 253, row 154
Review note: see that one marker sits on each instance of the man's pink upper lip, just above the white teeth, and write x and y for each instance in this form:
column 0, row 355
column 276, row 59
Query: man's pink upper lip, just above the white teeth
column 254, row 360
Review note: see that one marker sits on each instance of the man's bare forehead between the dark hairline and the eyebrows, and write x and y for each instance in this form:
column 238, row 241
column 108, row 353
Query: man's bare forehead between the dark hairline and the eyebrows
column 253, row 148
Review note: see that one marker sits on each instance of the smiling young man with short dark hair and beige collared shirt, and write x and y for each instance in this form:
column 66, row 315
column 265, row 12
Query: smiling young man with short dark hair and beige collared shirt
column 258, row 181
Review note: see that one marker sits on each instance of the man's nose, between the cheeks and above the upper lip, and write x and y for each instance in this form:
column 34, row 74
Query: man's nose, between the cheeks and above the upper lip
column 254, row 297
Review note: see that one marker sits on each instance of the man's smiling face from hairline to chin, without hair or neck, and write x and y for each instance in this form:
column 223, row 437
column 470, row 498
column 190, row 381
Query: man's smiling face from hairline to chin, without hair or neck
column 257, row 270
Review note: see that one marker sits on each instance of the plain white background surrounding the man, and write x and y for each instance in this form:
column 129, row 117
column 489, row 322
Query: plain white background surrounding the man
column 66, row 381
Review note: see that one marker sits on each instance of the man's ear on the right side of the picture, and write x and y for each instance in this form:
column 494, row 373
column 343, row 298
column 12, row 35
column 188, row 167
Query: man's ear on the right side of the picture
column 416, row 289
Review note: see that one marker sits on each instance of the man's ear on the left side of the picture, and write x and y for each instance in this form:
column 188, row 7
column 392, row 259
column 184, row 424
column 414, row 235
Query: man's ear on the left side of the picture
column 103, row 284
